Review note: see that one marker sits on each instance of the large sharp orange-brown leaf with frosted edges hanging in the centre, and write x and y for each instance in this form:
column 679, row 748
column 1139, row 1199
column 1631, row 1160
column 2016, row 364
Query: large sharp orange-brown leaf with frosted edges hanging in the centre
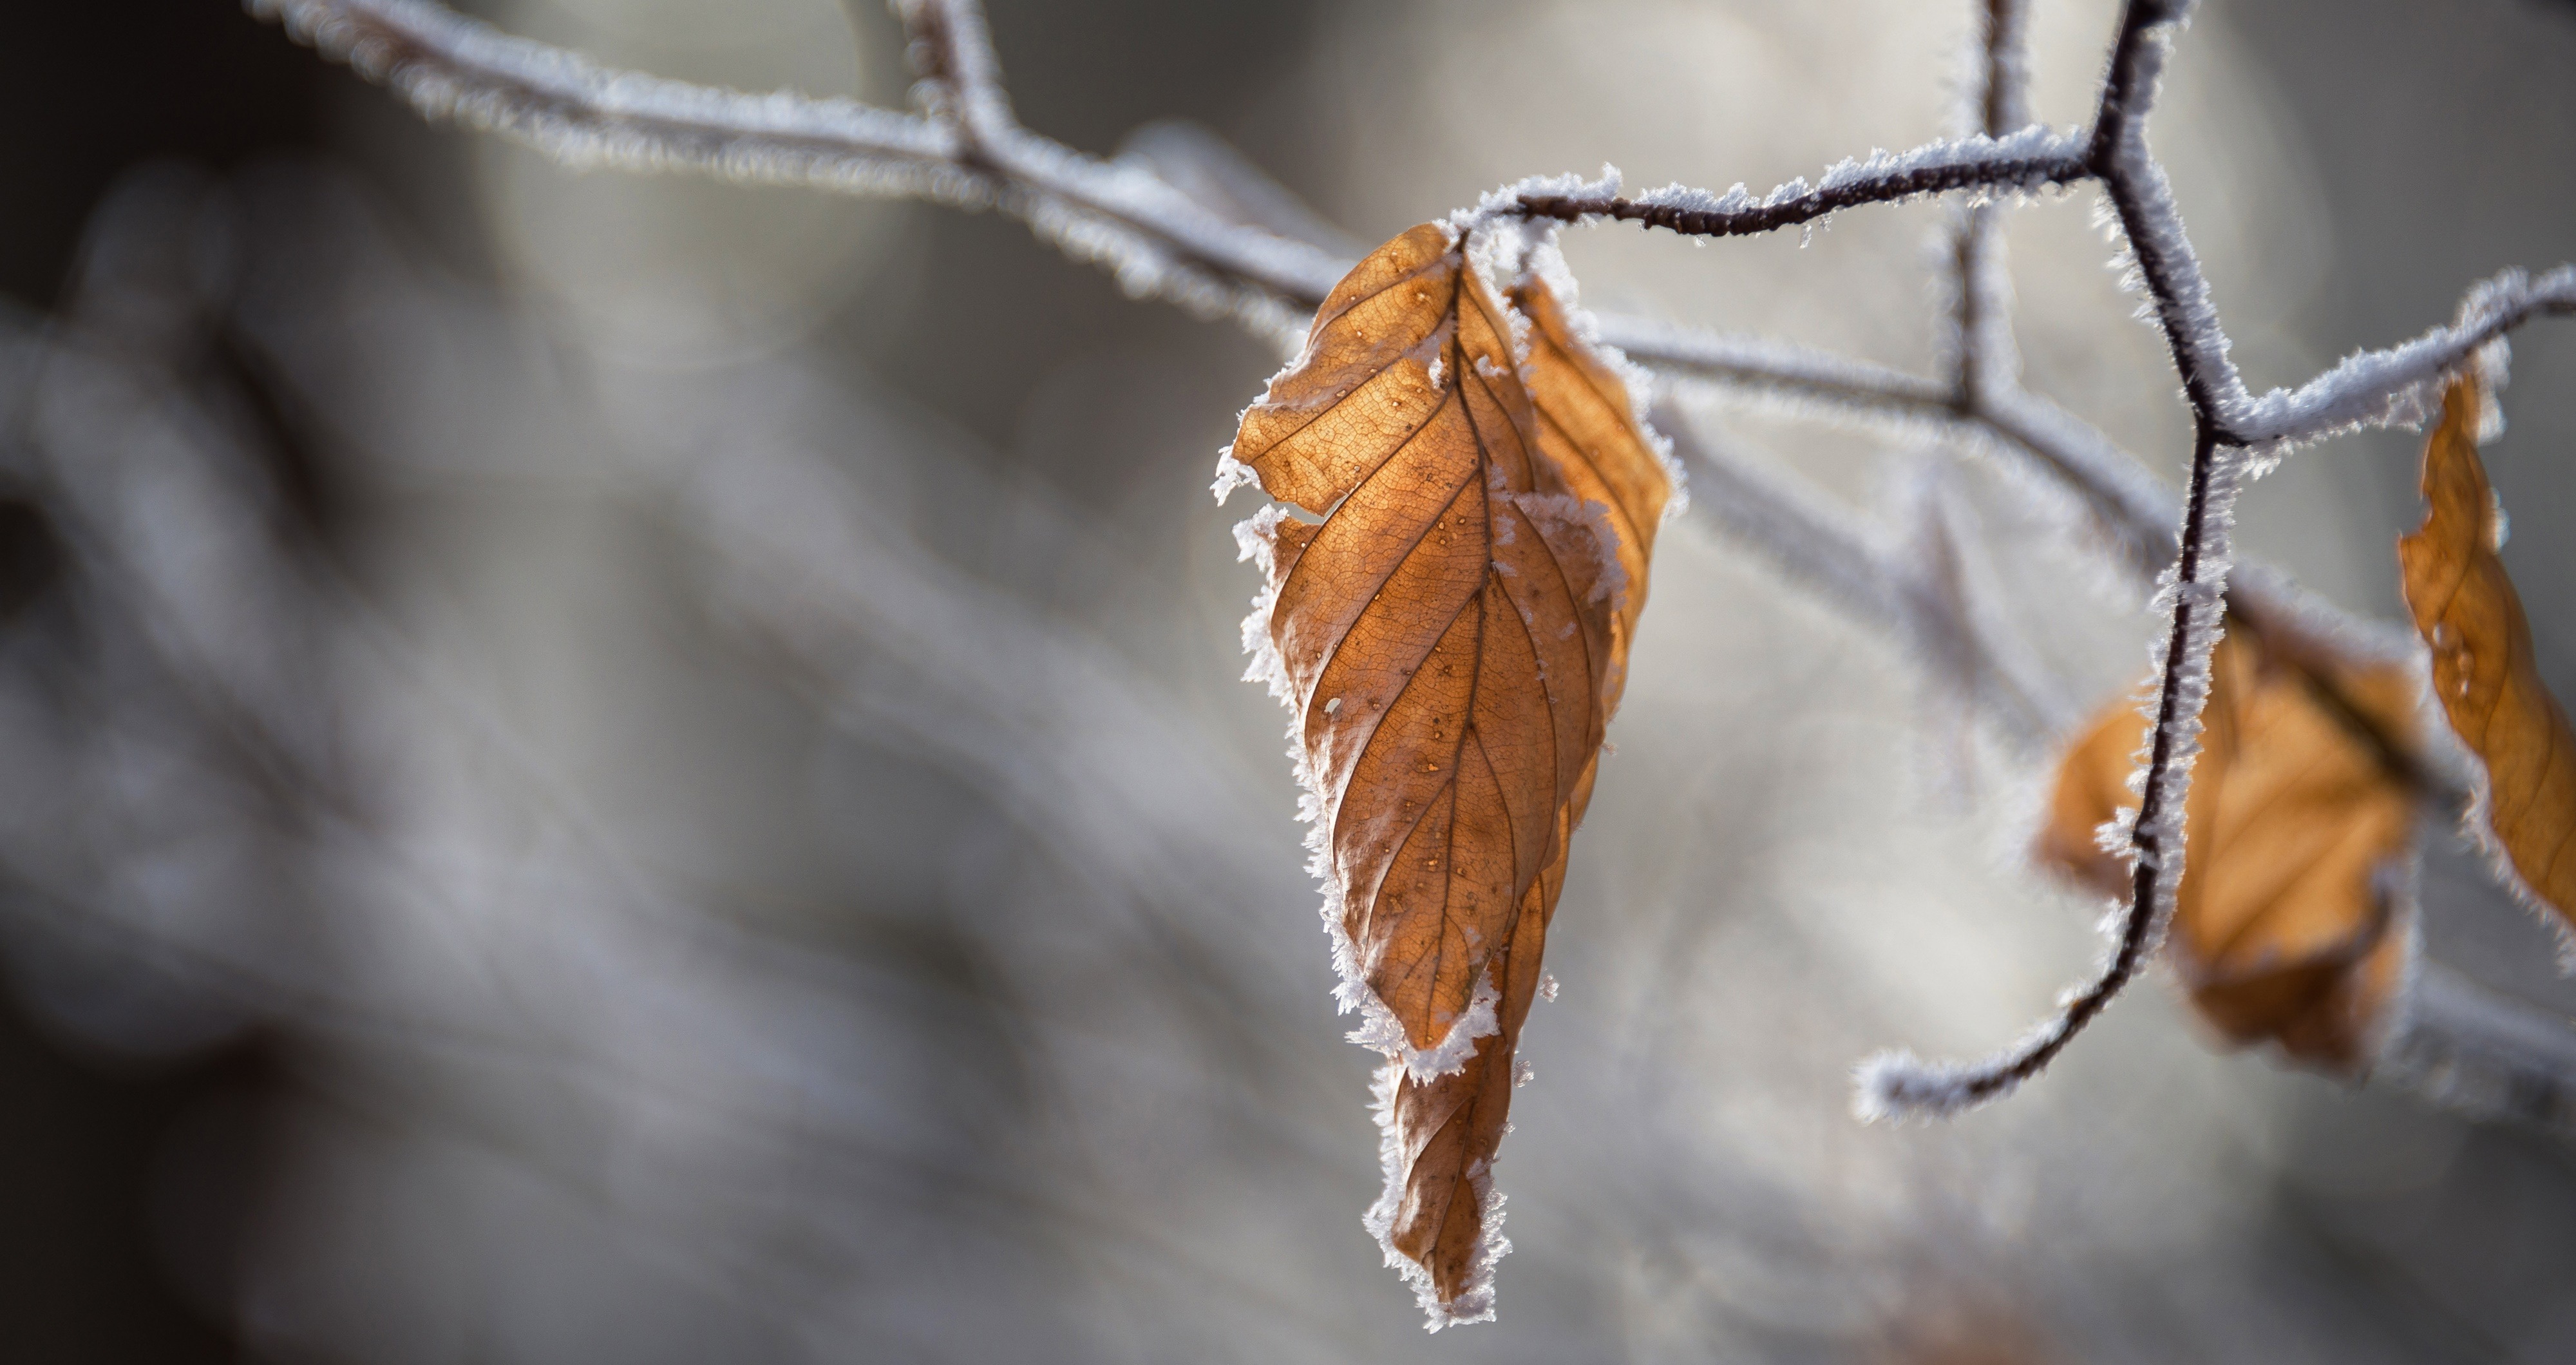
column 1449, row 635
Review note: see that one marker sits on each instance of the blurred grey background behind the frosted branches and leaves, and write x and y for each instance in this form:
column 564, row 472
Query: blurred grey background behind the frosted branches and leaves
column 612, row 769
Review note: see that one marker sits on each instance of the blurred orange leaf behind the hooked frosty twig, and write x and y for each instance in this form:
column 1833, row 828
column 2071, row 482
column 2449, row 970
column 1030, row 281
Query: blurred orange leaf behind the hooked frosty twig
column 2302, row 813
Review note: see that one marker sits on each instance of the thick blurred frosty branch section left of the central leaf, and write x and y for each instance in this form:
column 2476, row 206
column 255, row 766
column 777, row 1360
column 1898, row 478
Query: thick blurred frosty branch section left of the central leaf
column 967, row 153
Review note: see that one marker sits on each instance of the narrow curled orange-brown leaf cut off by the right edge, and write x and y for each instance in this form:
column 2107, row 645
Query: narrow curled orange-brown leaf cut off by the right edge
column 2482, row 661
